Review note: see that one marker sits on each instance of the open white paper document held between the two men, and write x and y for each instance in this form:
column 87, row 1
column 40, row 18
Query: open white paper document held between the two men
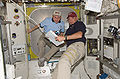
column 51, row 36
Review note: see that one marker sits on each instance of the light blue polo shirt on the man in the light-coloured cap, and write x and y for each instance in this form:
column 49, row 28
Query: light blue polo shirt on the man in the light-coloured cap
column 48, row 24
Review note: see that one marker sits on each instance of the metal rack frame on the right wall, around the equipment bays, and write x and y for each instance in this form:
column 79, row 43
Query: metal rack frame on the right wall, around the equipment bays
column 104, row 62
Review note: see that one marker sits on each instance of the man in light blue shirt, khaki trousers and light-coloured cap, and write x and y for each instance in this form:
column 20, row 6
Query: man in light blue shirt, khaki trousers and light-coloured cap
column 55, row 24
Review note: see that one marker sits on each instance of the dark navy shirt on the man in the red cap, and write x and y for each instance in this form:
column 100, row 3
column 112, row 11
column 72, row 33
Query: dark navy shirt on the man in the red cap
column 76, row 27
